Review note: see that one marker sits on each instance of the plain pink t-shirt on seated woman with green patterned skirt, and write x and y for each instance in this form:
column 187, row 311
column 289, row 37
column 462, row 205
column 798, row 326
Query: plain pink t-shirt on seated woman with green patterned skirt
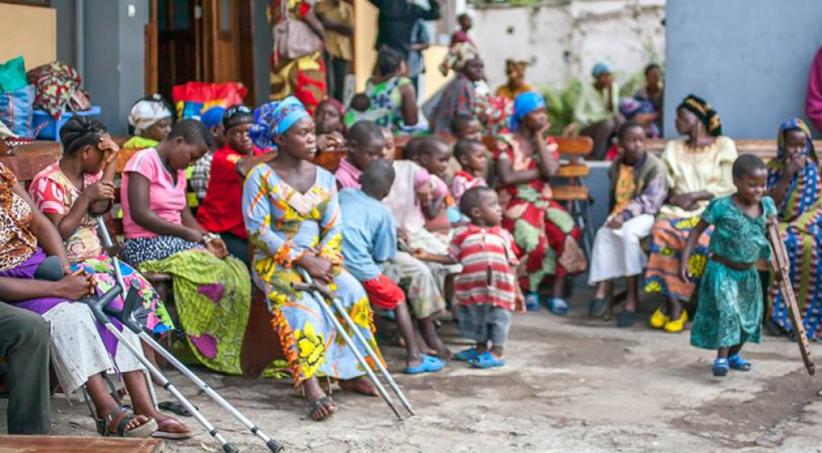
column 165, row 199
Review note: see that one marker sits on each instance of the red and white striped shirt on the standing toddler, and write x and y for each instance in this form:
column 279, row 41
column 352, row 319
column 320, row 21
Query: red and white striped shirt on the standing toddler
column 487, row 255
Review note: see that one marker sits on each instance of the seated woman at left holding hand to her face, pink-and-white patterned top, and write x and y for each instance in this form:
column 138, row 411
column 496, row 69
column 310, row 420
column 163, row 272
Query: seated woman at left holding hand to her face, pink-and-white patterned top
column 71, row 191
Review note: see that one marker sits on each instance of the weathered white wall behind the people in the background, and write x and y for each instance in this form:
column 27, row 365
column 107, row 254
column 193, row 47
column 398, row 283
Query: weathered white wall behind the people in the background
column 565, row 38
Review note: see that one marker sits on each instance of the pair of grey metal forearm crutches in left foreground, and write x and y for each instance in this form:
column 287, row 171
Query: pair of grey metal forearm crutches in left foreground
column 103, row 313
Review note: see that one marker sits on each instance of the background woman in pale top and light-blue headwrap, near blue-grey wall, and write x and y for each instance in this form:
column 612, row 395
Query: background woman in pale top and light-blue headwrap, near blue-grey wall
column 596, row 113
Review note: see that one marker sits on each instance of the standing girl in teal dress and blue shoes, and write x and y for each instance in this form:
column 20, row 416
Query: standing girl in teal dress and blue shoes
column 729, row 313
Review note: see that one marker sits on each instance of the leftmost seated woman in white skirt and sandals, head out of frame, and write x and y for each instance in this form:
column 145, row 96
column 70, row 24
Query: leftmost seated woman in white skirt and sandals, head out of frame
column 81, row 348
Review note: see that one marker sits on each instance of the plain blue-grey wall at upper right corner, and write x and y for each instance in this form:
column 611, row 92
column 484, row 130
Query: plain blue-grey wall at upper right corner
column 749, row 58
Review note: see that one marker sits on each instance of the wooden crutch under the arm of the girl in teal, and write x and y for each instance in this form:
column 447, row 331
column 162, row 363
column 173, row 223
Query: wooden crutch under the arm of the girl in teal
column 781, row 268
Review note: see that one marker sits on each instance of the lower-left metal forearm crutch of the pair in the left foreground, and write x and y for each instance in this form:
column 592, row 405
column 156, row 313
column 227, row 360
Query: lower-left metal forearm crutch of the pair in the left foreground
column 97, row 308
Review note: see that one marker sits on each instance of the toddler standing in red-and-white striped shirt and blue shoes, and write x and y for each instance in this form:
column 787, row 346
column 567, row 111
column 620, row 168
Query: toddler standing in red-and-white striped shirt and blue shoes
column 486, row 289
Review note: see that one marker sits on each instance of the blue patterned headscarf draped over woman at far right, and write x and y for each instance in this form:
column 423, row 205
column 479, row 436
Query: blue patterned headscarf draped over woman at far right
column 804, row 192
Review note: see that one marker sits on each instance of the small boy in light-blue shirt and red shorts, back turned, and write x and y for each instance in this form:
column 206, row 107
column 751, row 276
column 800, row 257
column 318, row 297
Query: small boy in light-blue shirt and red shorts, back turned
column 370, row 241
